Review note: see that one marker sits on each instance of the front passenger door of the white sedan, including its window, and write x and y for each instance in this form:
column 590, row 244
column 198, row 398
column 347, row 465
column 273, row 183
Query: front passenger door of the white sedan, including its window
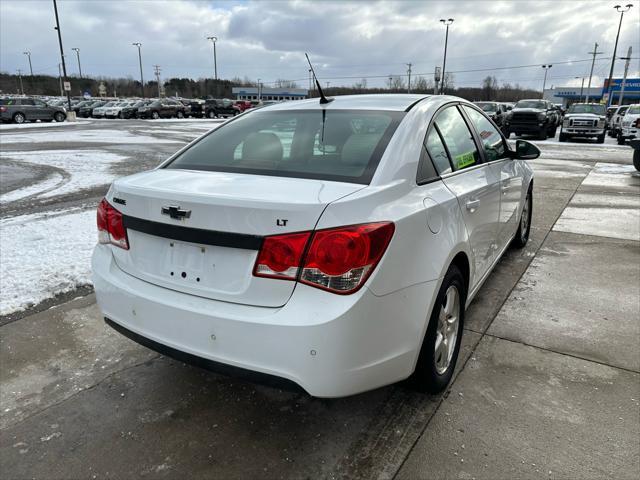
column 511, row 178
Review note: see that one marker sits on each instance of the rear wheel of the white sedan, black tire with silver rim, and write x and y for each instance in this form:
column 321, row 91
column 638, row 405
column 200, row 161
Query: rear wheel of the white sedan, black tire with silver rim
column 436, row 364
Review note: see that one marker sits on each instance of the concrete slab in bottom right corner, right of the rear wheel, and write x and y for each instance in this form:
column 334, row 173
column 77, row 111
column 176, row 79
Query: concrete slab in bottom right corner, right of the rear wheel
column 521, row 412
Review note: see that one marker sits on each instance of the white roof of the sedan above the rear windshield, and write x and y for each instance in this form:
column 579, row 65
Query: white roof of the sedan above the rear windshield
column 390, row 101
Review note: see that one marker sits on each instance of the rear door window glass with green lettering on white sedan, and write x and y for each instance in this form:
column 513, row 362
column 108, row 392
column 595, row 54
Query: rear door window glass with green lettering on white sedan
column 458, row 139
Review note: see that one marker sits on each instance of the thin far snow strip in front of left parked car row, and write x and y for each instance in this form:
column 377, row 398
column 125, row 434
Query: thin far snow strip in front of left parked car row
column 88, row 136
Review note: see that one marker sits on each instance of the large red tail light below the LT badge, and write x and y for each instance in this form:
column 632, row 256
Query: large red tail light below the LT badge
column 339, row 260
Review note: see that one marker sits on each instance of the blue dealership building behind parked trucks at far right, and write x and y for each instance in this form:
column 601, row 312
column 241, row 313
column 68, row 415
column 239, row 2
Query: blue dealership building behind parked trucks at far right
column 568, row 95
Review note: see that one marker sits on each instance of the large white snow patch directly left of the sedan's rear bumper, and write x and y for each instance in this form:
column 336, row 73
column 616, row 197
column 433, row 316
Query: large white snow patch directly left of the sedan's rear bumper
column 44, row 255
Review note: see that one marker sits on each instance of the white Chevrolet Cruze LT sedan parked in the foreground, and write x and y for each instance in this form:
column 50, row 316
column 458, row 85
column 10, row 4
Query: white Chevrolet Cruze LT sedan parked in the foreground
column 332, row 245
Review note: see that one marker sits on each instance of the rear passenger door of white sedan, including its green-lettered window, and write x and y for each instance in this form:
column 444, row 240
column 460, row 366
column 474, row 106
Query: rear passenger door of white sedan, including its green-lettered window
column 452, row 147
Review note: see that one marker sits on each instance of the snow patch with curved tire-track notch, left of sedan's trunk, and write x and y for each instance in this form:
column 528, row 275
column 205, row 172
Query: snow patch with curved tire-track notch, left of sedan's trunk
column 85, row 169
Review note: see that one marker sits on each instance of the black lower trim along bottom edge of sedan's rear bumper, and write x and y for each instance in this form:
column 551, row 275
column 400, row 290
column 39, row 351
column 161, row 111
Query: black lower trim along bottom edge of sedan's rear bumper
column 217, row 367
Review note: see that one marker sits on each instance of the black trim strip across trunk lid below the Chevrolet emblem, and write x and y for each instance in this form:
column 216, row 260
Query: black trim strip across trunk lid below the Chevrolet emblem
column 194, row 235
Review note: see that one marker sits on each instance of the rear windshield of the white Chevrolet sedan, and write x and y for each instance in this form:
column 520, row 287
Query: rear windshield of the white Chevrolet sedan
column 340, row 145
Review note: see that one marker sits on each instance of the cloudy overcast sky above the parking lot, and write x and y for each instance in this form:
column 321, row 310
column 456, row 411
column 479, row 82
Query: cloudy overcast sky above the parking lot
column 267, row 40
